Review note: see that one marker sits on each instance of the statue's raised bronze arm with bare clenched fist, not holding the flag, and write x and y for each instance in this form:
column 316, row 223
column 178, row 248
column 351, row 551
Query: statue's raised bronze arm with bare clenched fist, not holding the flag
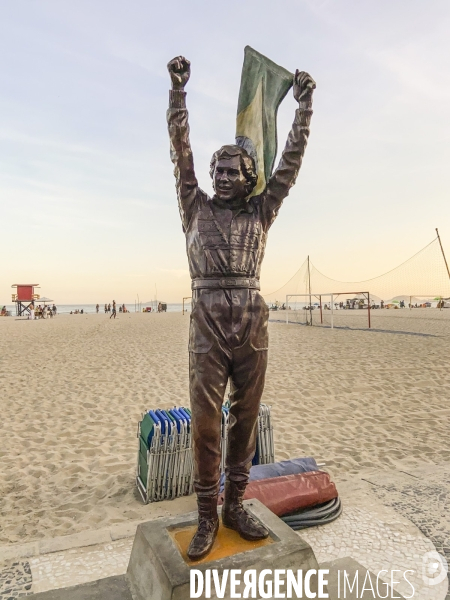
column 180, row 148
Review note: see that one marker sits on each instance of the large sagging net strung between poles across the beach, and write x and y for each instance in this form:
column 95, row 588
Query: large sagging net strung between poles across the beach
column 388, row 301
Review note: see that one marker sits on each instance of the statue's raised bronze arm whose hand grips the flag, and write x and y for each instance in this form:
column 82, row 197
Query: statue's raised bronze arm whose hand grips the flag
column 286, row 173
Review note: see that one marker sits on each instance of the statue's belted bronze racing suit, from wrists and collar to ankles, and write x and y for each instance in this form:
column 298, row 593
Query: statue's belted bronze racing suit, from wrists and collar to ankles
column 228, row 337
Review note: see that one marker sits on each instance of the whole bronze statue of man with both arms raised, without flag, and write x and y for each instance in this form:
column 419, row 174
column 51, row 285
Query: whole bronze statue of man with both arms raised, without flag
column 228, row 338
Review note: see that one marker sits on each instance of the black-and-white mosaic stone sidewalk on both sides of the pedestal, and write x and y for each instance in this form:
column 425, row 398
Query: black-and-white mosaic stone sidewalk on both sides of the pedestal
column 390, row 521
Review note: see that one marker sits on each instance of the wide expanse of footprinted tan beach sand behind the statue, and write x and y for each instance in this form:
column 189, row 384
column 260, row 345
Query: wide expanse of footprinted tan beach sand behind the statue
column 72, row 390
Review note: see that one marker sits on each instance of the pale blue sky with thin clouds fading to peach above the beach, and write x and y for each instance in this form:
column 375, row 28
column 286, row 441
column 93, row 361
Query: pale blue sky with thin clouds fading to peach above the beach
column 88, row 202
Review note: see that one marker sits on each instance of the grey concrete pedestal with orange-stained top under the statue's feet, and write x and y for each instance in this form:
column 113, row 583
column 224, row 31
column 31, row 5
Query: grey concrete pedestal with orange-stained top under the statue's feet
column 159, row 568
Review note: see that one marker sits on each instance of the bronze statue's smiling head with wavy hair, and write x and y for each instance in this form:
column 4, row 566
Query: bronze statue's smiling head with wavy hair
column 233, row 172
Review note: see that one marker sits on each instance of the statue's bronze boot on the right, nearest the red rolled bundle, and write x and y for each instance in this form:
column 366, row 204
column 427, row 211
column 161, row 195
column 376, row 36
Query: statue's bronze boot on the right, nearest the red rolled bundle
column 234, row 516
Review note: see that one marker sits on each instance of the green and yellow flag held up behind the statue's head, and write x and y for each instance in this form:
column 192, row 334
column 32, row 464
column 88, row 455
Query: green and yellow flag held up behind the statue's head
column 263, row 86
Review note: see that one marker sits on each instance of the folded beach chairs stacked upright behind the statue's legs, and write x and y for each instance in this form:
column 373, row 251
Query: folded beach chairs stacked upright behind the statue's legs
column 165, row 467
